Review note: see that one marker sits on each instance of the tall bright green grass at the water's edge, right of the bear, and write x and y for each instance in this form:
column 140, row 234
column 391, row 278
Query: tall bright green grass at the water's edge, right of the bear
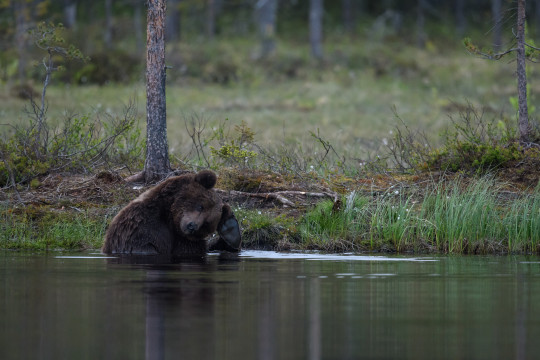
column 449, row 218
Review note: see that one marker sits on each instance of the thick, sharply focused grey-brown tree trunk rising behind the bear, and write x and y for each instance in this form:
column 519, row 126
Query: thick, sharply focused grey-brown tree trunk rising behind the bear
column 157, row 151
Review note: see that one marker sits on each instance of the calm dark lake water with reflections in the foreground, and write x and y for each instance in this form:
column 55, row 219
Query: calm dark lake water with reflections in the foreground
column 263, row 305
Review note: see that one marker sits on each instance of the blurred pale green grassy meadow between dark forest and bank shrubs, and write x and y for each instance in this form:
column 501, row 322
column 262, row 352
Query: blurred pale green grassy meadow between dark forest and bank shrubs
column 352, row 98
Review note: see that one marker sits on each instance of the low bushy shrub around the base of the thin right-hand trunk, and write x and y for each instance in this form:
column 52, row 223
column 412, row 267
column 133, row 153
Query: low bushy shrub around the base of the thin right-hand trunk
column 474, row 144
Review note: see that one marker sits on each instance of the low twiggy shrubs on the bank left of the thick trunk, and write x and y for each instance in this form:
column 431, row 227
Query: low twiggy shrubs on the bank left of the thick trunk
column 79, row 144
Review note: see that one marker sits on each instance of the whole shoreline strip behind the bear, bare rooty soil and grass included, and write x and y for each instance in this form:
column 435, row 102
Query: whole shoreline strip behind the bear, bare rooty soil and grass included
column 281, row 212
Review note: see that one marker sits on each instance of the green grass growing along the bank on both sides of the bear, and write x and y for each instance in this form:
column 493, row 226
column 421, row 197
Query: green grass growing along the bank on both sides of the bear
column 448, row 216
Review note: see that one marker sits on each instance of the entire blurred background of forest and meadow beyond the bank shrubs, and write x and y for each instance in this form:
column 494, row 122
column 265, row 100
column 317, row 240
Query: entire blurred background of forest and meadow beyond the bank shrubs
column 265, row 63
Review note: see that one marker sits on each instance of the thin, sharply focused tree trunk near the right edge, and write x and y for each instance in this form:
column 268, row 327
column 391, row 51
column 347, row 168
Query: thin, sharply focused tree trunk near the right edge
column 523, row 113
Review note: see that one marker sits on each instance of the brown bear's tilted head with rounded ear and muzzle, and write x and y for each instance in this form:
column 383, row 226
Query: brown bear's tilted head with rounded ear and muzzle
column 196, row 210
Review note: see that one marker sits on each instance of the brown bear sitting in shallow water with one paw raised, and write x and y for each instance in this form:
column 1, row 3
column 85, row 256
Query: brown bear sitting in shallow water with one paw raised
column 175, row 218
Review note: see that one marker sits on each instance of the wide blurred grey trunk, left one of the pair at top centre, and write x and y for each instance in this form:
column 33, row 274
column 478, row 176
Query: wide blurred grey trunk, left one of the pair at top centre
column 266, row 20
